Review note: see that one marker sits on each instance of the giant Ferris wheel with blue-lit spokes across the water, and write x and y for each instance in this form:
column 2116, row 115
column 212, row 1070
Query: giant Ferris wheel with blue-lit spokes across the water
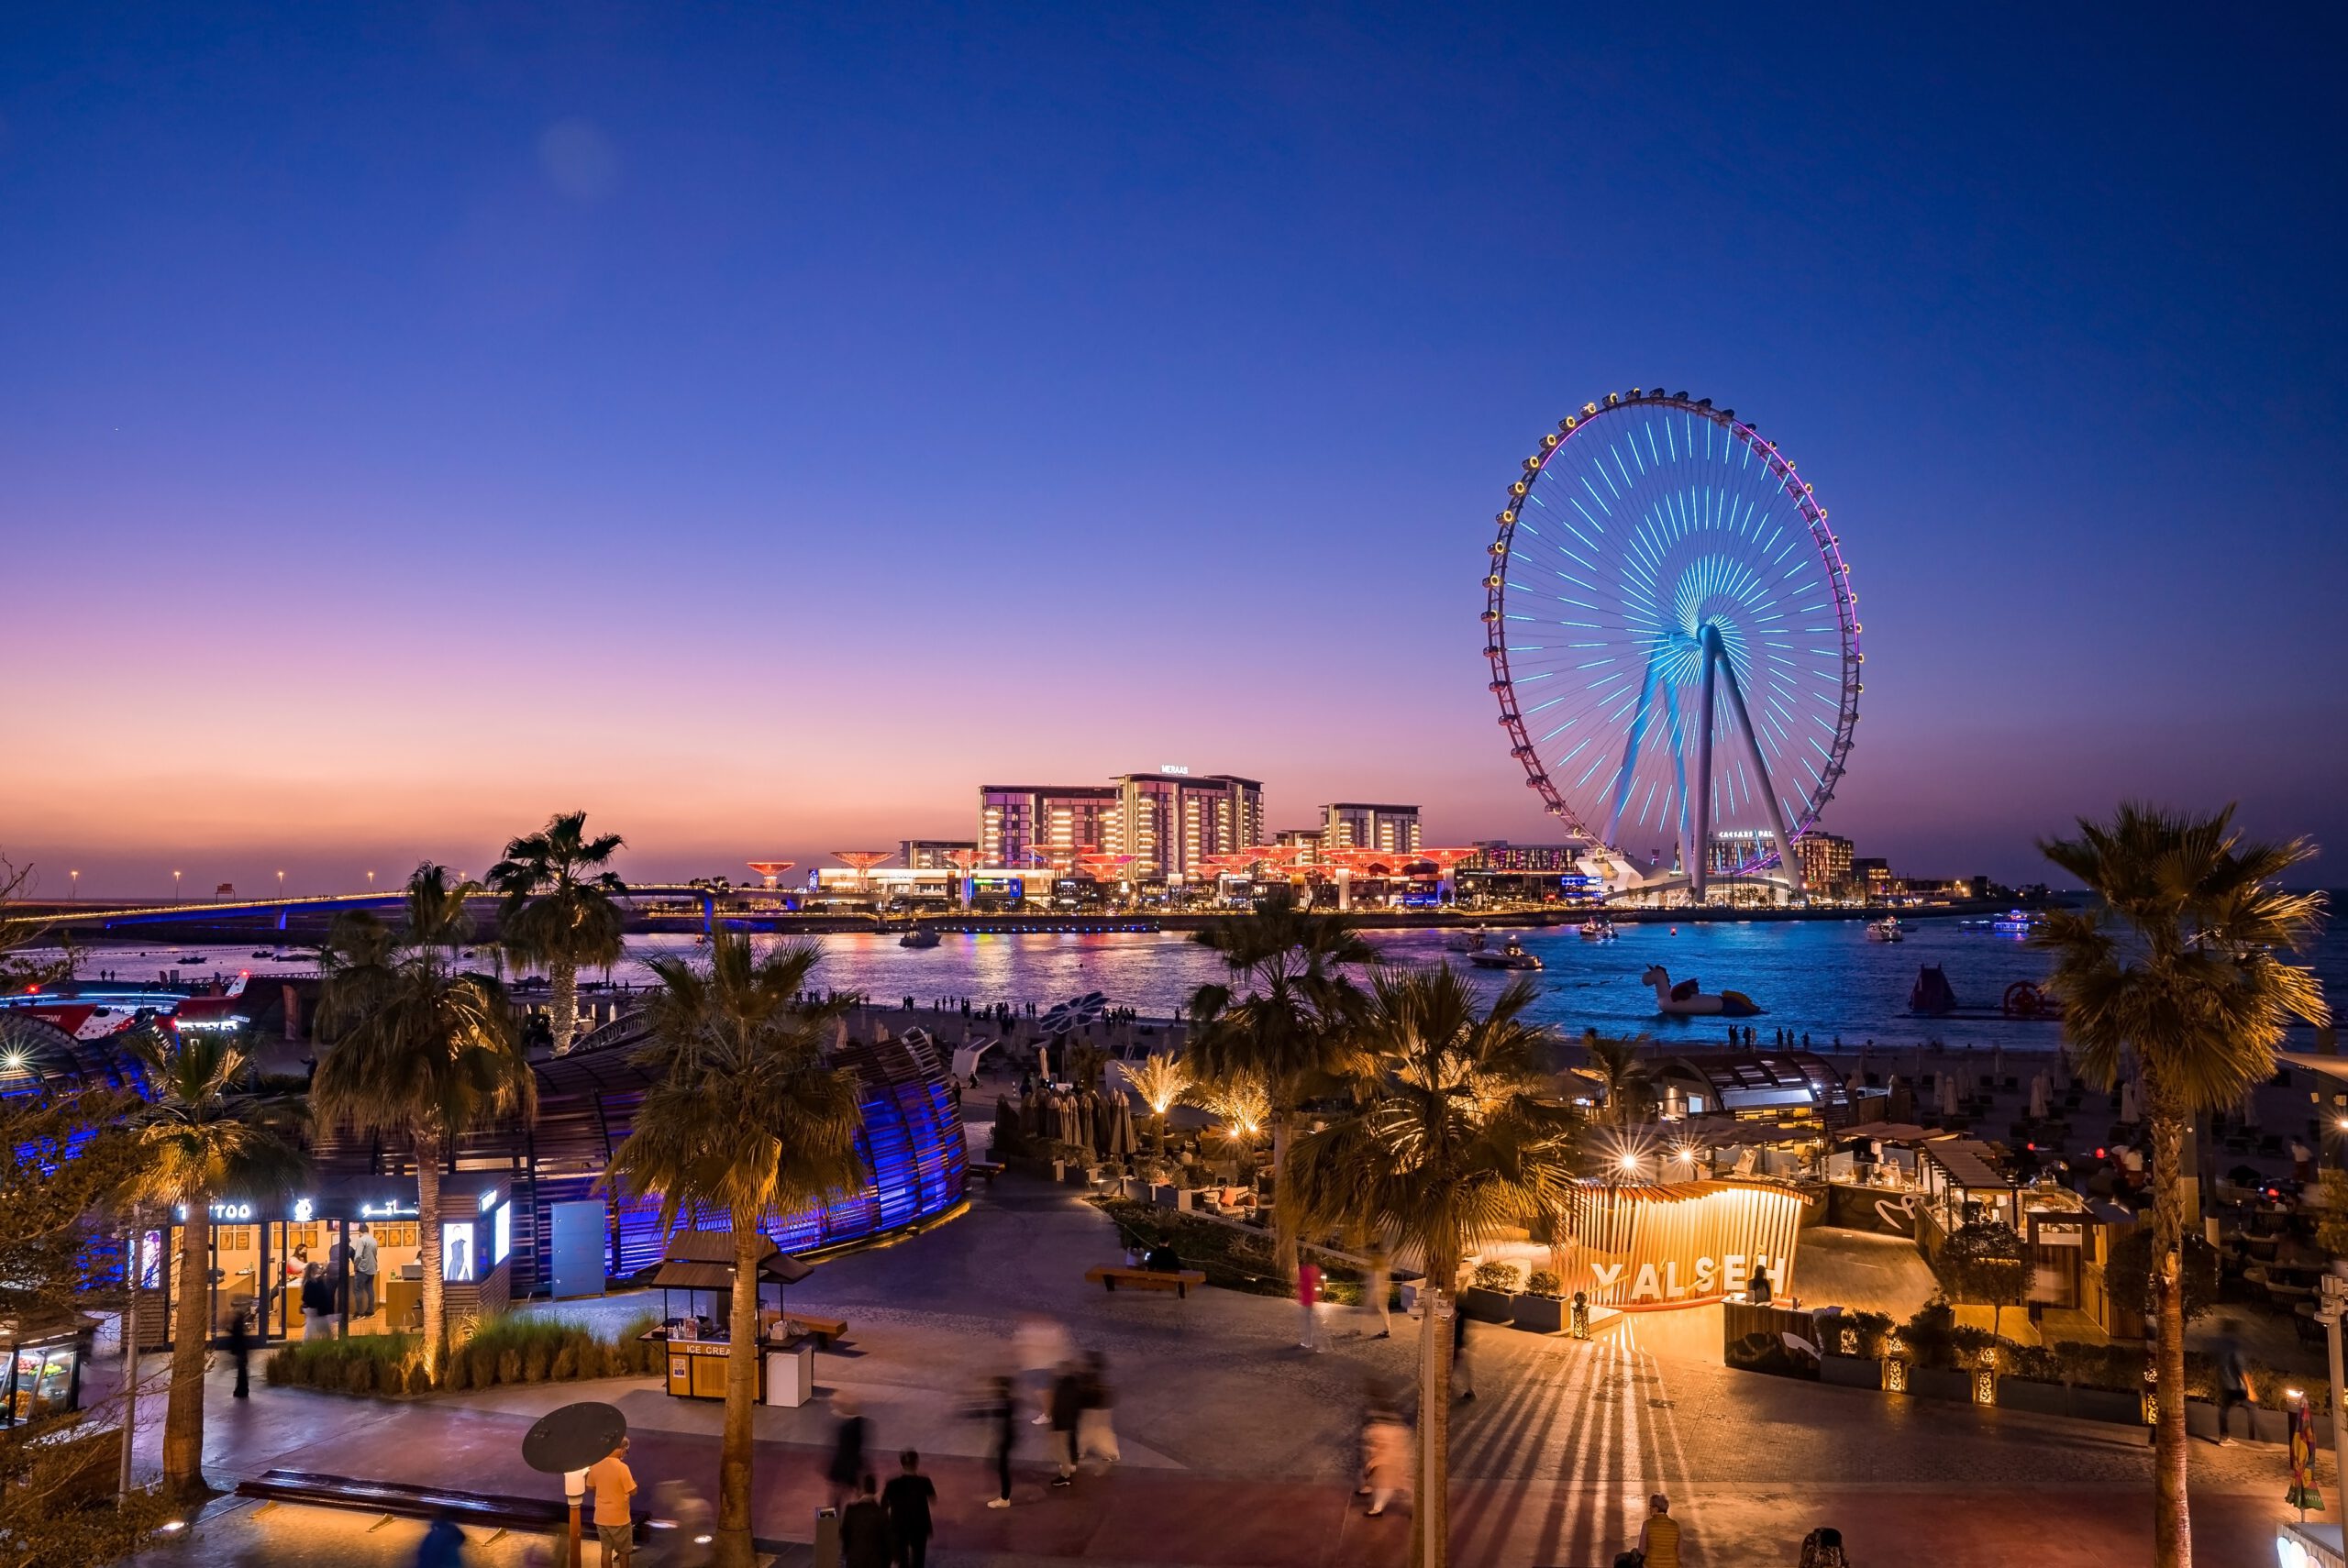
column 1673, row 640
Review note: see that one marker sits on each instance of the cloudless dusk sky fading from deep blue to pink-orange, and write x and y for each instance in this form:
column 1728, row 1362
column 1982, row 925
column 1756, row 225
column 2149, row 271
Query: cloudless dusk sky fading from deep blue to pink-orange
column 762, row 424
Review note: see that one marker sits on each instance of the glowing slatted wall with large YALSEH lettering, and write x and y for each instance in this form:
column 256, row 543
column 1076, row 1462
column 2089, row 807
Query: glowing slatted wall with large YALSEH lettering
column 1680, row 1245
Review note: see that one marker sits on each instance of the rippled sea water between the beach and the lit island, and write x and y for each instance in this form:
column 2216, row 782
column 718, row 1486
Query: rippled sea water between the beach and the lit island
column 1814, row 975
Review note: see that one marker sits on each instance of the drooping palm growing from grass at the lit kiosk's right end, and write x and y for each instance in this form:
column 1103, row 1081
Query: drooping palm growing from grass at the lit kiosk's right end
column 419, row 1048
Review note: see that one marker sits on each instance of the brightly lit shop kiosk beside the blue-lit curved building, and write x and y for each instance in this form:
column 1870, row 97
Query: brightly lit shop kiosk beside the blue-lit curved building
column 262, row 1252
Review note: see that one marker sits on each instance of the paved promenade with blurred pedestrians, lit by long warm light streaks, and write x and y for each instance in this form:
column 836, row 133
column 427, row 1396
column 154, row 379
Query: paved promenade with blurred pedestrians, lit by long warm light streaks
column 1241, row 1445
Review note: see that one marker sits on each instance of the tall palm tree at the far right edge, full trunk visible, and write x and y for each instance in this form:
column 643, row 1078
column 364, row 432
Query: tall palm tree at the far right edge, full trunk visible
column 2178, row 968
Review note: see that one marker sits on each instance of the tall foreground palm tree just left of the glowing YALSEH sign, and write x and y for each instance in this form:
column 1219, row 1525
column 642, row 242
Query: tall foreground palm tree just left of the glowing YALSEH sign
column 1448, row 1147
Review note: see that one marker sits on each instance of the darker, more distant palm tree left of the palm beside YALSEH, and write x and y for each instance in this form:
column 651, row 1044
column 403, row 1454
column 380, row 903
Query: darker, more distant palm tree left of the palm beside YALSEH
column 1288, row 1029
